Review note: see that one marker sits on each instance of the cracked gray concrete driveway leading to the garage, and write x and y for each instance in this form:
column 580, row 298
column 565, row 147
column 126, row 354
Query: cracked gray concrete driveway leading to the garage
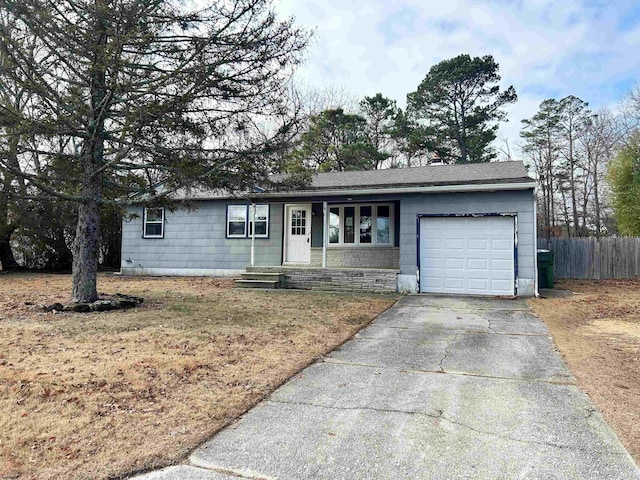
column 435, row 388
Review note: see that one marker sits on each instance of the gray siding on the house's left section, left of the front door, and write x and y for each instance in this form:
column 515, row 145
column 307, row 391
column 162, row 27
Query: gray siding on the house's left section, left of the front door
column 196, row 239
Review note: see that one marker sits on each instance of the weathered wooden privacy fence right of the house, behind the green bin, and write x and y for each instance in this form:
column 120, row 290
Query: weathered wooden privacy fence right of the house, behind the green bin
column 610, row 257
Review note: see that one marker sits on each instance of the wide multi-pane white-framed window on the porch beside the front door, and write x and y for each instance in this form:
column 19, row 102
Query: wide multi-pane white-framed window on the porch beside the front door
column 361, row 224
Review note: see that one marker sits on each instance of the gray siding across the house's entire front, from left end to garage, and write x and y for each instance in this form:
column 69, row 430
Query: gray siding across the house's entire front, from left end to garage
column 196, row 238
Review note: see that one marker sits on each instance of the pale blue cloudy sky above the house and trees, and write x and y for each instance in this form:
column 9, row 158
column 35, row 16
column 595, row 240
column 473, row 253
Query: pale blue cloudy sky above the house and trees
column 587, row 48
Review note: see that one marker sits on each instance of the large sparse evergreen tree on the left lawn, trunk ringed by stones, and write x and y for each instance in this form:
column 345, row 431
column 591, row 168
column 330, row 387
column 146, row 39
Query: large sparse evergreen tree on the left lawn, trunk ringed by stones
column 169, row 92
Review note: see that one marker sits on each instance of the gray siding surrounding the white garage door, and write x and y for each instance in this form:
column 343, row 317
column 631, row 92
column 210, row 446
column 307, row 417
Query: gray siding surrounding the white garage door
column 519, row 202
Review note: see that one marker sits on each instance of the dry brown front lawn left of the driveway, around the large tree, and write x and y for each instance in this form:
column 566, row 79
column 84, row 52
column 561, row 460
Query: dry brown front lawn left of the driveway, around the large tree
column 103, row 395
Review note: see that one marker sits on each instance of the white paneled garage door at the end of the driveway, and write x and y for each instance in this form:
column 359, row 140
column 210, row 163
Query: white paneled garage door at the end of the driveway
column 467, row 255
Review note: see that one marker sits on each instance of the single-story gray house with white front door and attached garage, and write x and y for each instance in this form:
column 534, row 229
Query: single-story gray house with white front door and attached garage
column 452, row 229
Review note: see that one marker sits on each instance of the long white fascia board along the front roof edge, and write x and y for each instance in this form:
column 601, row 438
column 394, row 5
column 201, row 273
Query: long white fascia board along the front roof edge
column 487, row 187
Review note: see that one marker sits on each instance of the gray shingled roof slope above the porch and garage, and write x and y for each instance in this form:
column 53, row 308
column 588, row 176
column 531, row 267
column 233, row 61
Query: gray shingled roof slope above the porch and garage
column 432, row 175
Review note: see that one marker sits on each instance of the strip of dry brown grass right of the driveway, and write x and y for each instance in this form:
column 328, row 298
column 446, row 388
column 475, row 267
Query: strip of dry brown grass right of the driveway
column 598, row 333
